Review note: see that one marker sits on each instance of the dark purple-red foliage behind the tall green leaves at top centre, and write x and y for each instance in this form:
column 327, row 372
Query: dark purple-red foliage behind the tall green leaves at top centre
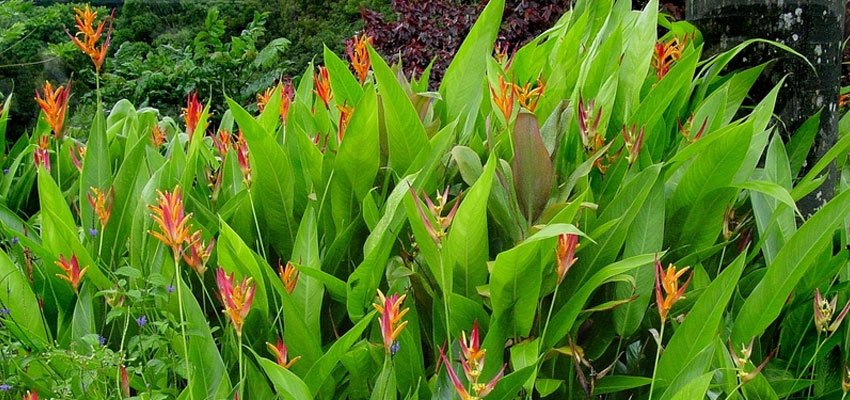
column 426, row 30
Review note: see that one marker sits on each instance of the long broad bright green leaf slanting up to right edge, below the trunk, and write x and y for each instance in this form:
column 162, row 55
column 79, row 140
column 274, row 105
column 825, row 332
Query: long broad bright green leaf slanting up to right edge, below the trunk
column 768, row 298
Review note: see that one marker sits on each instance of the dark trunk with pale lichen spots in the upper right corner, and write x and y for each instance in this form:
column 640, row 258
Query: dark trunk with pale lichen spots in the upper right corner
column 812, row 27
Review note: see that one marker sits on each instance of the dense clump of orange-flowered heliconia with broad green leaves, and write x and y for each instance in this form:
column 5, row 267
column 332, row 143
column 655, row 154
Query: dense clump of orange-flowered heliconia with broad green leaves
column 501, row 237
